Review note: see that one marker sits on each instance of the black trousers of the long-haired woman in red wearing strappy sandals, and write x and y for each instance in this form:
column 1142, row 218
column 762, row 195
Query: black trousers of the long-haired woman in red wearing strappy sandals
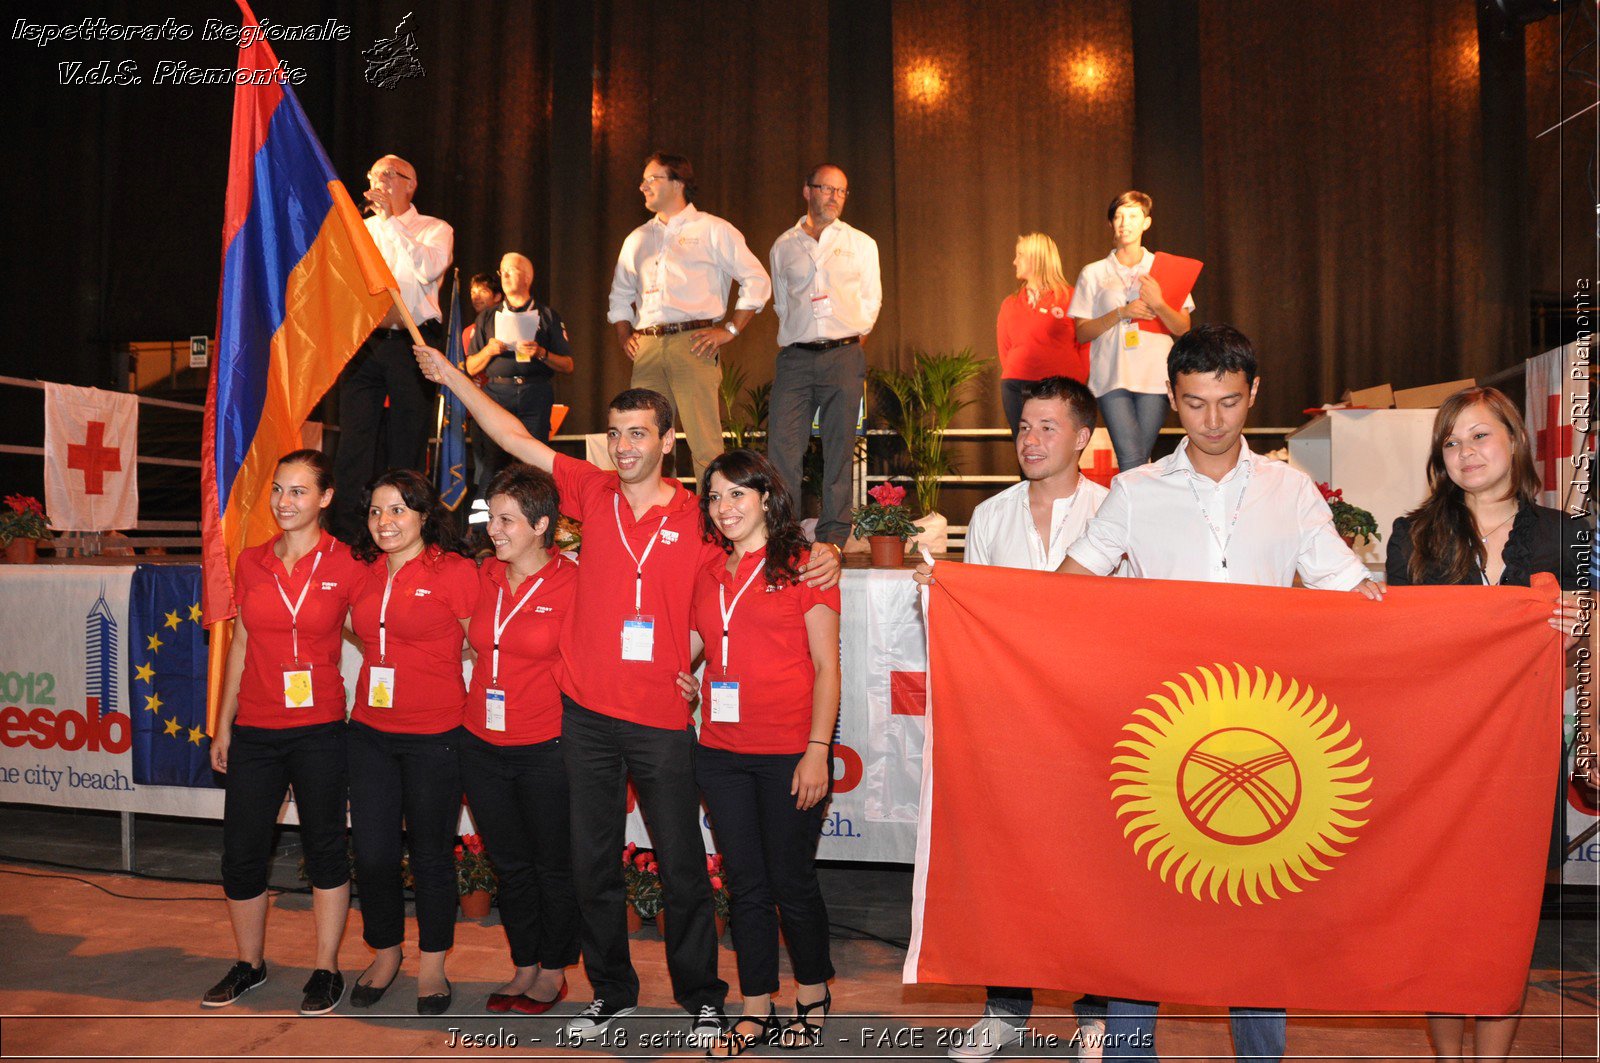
column 769, row 851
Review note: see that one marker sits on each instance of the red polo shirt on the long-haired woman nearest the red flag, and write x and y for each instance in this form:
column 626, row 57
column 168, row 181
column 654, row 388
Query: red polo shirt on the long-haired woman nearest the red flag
column 769, row 654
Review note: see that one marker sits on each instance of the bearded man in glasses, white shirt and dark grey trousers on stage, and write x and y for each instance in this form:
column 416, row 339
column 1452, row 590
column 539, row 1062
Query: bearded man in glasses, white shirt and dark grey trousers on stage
column 828, row 295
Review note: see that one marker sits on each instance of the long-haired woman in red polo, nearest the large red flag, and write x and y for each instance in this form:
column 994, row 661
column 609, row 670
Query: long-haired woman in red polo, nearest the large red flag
column 764, row 763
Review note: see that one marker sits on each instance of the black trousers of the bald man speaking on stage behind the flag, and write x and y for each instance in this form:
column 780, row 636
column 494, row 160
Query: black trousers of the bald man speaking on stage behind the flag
column 372, row 438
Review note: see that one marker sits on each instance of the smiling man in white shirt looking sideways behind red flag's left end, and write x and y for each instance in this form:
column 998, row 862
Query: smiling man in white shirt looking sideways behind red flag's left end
column 1030, row 526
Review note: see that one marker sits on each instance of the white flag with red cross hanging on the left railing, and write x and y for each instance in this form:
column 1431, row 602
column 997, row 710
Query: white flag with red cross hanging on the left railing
column 92, row 443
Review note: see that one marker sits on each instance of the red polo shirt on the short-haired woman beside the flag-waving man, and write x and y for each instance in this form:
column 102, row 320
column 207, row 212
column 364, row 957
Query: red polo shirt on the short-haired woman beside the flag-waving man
column 530, row 651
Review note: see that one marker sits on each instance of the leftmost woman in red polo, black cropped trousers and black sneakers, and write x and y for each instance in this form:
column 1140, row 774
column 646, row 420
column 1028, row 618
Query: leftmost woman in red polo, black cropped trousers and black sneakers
column 282, row 724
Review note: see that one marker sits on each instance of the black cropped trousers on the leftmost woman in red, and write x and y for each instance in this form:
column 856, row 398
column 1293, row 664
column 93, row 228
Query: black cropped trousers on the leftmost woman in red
column 263, row 763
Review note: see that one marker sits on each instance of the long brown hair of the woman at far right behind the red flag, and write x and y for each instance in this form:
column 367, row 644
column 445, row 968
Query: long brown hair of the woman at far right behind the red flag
column 1444, row 540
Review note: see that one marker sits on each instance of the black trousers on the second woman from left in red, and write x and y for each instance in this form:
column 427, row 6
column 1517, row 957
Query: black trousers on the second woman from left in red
column 410, row 782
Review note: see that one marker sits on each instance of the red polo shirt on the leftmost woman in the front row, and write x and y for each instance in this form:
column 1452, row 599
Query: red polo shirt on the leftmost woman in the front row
column 334, row 580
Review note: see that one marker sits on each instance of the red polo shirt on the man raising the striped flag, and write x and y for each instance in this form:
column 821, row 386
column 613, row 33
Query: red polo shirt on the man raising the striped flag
column 593, row 670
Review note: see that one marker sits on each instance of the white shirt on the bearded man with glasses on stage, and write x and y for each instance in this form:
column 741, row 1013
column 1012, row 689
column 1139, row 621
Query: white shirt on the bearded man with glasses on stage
column 826, row 289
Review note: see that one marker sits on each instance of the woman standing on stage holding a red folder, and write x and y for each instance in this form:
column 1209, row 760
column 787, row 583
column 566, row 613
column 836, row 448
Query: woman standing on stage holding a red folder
column 1127, row 363
